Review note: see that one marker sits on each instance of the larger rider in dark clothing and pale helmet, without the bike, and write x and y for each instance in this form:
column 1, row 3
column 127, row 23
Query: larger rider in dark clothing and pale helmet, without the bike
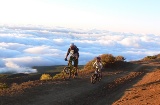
column 73, row 51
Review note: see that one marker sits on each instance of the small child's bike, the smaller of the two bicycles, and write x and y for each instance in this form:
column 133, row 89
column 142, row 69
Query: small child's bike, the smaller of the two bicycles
column 96, row 76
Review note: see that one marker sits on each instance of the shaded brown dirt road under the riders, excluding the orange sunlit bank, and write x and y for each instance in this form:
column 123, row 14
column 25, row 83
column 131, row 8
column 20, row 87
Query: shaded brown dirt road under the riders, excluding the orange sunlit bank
column 80, row 91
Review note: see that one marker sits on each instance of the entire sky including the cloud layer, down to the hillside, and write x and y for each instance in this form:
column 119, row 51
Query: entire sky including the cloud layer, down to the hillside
column 39, row 32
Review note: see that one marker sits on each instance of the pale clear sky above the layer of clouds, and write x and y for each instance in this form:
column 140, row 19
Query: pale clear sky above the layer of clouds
column 136, row 16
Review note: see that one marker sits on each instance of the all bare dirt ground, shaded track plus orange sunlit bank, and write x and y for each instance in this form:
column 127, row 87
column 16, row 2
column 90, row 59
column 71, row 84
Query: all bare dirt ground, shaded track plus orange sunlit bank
column 136, row 84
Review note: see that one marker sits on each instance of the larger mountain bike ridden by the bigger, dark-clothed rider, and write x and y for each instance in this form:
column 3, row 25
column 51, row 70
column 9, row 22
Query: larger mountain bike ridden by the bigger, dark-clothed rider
column 69, row 71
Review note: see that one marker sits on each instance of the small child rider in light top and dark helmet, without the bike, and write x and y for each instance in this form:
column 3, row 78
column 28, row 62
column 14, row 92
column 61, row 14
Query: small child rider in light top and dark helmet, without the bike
column 98, row 65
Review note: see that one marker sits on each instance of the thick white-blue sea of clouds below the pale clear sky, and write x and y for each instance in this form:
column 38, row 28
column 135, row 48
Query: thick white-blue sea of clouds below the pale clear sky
column 23, row 47
